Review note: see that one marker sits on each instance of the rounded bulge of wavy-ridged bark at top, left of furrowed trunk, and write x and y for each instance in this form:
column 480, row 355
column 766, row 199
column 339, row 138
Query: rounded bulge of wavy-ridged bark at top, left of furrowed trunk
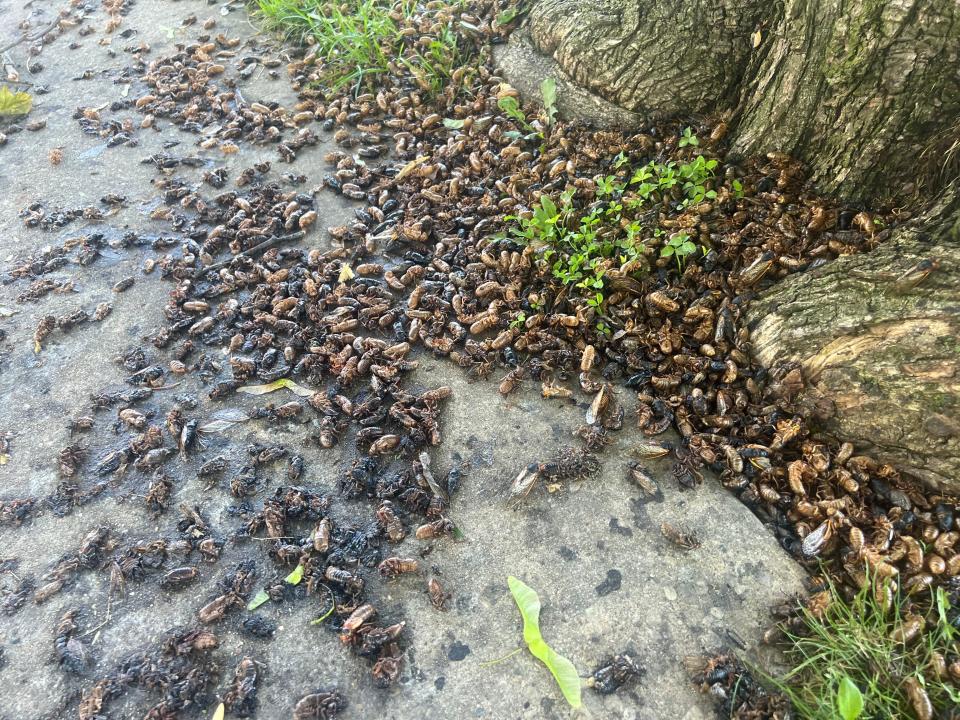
column 655, row 58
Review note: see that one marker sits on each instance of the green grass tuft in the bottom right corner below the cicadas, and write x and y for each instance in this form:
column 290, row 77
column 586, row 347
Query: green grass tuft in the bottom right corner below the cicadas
column 859, row 640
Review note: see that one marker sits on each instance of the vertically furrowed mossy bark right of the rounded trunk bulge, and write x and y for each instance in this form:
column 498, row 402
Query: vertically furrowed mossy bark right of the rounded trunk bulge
column 866, row 92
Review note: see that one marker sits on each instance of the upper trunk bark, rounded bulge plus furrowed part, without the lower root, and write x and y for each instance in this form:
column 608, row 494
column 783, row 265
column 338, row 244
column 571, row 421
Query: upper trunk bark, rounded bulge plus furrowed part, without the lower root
column 867, row 92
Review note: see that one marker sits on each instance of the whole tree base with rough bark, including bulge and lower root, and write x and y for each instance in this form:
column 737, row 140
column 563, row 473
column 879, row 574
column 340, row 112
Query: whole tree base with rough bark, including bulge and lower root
column 867, row 94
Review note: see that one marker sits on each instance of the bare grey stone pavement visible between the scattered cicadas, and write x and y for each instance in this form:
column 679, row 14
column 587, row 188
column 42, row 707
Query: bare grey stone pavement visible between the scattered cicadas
column 607, row 578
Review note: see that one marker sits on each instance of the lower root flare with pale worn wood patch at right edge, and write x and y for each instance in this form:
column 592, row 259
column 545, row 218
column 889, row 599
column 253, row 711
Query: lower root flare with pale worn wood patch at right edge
column 884, row 350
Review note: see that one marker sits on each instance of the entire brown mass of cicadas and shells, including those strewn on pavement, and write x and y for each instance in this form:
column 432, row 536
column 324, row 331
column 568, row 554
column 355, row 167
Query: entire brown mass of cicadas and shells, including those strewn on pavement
column 431, row 264
